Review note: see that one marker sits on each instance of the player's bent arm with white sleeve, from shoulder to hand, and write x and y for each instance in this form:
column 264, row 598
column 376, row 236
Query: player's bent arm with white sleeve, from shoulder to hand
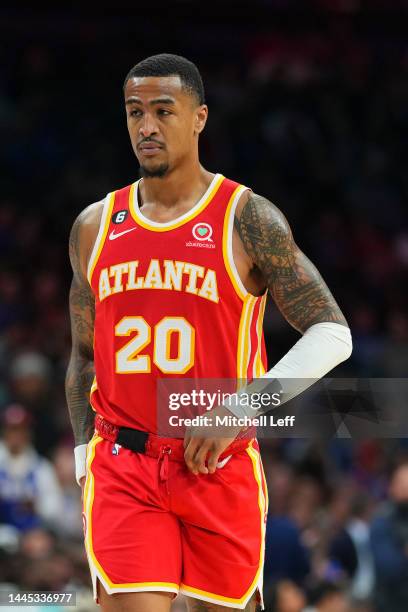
column 305, row 301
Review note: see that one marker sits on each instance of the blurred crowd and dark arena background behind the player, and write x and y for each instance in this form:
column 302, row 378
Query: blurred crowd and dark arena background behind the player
column 316, row 119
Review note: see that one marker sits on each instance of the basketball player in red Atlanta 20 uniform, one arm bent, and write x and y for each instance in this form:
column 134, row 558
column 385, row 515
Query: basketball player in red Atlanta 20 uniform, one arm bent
column 170, row 280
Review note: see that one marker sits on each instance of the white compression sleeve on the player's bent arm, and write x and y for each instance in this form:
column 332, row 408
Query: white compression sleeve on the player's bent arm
column 319, row 350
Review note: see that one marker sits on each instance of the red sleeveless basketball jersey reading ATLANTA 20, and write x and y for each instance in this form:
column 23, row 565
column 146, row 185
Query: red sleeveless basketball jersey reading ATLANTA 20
column 169, row 303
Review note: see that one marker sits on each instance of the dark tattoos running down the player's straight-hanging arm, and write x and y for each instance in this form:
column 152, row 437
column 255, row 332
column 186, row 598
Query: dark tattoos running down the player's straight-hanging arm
column 80, row 371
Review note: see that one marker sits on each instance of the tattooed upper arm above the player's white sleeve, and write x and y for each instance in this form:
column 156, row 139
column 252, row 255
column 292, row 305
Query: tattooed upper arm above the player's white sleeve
column 296, row 286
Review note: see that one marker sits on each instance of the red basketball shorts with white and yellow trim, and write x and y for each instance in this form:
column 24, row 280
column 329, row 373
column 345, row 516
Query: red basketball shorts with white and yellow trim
column 151, row 525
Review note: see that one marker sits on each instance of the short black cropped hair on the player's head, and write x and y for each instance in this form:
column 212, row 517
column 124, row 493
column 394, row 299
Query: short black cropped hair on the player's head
column 167, row 64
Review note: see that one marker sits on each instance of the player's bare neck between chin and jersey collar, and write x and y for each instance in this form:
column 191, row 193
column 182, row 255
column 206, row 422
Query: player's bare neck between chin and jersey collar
column 180, row 185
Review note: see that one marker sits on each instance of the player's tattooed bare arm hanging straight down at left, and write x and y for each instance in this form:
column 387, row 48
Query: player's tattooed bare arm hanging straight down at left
column 80, row 372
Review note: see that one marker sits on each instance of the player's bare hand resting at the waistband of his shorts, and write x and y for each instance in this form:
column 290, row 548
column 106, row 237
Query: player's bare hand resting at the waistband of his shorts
column 208, row 441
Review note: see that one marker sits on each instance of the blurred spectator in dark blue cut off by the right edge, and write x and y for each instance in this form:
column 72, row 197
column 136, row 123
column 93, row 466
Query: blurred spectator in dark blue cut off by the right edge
column 389, row 540
